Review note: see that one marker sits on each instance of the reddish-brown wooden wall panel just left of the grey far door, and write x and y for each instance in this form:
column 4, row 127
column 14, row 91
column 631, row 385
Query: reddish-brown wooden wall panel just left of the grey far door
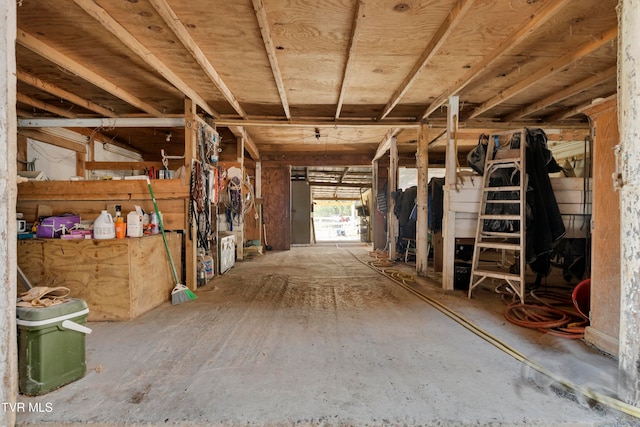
column 276, row 192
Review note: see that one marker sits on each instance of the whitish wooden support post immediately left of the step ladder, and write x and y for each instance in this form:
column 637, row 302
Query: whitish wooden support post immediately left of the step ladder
column 449, row 217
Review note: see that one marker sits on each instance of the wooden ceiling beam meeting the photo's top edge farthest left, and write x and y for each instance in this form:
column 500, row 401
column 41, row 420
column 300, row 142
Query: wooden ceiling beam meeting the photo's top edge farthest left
column 111, row 25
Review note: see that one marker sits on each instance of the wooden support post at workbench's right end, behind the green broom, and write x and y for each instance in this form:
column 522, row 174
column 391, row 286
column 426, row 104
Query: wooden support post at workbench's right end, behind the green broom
column 190, row 153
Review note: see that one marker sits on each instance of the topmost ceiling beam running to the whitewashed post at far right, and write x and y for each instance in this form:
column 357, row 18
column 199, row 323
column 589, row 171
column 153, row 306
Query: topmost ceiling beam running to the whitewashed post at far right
column 548, row 70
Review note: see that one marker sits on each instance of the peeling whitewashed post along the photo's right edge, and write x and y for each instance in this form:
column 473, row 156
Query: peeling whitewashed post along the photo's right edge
column 628, row 181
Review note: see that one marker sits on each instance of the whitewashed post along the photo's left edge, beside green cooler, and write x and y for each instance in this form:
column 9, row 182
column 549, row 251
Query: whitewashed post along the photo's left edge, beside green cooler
column 8, row 340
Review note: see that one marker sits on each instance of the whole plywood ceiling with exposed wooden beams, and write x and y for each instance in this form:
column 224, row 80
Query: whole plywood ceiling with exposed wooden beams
column 311, row 81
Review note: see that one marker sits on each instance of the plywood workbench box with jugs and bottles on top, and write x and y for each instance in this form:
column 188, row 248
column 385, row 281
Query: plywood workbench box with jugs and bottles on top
column 119, row 279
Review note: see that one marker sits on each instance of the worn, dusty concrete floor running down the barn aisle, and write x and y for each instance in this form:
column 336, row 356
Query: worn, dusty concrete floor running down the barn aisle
column 312, row 336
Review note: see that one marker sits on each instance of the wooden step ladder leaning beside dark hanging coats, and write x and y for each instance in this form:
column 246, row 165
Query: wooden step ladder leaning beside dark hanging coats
column 503, row 206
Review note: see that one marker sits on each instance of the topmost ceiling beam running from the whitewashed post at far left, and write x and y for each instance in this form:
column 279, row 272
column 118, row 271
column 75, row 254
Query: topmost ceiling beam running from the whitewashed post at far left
column 58, row 58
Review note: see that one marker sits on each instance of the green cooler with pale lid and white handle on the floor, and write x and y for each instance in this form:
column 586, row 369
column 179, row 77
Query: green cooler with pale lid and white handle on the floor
column 51, row 350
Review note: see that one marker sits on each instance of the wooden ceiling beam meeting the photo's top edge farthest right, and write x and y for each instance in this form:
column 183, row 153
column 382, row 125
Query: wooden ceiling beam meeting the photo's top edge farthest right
column 536, row 20
